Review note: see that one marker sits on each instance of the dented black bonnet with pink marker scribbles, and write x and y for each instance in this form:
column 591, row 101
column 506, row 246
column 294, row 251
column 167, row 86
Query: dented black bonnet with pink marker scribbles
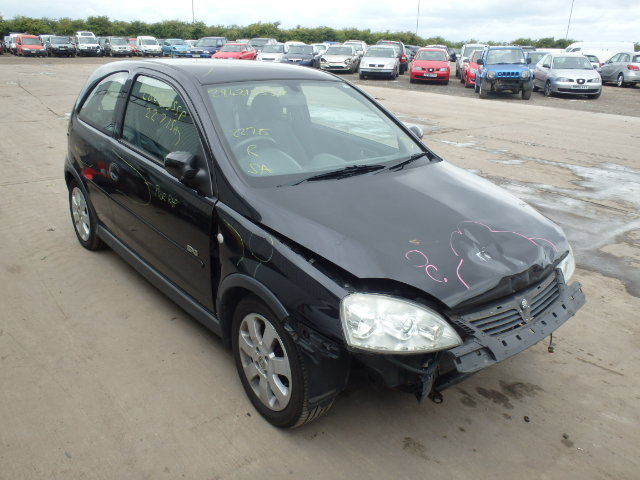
column 434, row 227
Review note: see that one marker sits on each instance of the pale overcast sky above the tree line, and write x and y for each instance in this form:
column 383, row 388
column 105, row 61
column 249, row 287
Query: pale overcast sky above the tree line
column 455, row 20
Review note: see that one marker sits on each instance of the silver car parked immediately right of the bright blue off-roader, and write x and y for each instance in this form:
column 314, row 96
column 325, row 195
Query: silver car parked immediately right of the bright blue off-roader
column 566, row 73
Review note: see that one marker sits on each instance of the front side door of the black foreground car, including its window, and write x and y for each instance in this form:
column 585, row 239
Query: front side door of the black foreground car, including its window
column 163, row 220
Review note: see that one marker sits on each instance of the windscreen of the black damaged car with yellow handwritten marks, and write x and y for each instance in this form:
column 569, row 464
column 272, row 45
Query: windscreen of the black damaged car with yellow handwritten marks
column 293, row 128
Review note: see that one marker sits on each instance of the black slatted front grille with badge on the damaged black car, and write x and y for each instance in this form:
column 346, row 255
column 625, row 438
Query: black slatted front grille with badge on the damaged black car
column 512, row 313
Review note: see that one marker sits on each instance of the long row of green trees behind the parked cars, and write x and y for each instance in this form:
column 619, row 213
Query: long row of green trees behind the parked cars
column 103, row 26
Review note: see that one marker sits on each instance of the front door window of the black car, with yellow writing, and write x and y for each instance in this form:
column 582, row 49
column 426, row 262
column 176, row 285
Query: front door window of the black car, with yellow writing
column 157, row 120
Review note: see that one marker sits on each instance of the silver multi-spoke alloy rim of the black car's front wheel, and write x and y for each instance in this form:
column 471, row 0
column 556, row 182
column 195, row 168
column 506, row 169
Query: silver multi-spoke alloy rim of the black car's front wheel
column 265, row 362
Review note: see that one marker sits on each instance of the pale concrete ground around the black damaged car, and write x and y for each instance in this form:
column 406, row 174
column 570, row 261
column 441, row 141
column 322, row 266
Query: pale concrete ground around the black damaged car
column 101, row 377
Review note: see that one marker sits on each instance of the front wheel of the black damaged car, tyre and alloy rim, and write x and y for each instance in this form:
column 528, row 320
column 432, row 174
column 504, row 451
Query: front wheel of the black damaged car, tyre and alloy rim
column 252, row 322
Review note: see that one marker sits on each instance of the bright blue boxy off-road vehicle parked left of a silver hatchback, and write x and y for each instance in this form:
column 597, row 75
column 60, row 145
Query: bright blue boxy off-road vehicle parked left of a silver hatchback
column 504, row 68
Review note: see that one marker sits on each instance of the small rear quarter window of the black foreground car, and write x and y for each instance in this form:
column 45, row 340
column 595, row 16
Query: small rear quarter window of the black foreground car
column 99, row 108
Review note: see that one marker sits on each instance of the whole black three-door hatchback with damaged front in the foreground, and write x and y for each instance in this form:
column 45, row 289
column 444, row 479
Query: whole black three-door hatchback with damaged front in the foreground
column 303, row 223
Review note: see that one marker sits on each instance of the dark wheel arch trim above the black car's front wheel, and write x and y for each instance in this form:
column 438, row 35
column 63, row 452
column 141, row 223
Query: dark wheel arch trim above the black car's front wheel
column 232, row 289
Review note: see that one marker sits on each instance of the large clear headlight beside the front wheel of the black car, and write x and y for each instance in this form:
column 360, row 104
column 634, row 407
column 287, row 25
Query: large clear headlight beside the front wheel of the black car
column 384, row 324
